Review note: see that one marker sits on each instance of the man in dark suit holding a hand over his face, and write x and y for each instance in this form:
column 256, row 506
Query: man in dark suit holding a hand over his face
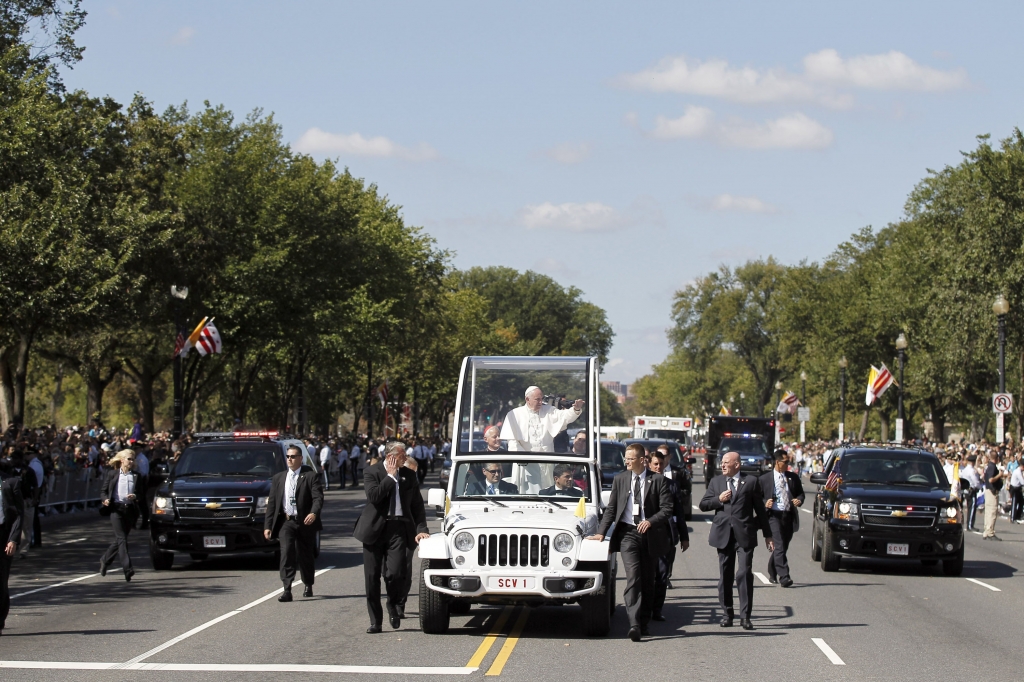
column 392, row 525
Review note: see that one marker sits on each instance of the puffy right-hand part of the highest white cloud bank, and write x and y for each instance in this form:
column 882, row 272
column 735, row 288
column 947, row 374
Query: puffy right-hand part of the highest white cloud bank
column 892, row 71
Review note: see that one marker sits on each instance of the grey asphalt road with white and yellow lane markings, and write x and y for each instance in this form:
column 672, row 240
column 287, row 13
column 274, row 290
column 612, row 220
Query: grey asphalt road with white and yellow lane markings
column 210, row 620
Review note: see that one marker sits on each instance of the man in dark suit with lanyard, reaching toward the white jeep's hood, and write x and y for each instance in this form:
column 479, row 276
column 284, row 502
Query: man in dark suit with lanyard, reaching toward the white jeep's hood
column 642, row 533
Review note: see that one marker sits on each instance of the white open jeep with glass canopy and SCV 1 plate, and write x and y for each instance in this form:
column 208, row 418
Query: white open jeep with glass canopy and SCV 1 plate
column 519, row 508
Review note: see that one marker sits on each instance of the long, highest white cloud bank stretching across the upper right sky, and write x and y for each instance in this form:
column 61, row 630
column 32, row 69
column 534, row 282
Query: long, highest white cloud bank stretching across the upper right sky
column 825, row 72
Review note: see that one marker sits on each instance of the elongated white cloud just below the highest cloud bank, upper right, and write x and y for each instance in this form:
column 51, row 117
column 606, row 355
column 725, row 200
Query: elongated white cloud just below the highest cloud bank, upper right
column 796, row 132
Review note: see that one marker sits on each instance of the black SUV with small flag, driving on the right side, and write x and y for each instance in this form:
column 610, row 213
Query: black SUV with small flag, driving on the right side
column 885, row 503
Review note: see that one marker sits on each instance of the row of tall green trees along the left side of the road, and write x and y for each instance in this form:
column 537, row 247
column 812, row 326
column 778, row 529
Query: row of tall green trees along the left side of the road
column 320, row 289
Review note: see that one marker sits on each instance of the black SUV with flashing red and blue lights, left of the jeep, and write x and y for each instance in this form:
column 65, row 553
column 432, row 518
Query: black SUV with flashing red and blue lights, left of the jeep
column 215, row 499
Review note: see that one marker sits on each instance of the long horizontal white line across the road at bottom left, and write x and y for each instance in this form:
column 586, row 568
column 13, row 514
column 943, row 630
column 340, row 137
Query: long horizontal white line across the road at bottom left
column 234, row 668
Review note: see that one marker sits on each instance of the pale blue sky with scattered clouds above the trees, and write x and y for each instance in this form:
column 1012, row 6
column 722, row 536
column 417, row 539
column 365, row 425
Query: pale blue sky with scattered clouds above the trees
column 621, row 148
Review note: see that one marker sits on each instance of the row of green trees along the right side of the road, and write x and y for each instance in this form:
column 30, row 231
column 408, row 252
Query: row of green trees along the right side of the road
column 933, row 275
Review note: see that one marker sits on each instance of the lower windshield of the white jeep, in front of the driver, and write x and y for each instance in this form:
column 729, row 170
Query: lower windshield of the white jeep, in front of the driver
column 526, row 480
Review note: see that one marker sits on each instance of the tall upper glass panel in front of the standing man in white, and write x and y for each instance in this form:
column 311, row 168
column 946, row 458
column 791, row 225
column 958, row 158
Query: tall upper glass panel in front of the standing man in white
column 515, row 405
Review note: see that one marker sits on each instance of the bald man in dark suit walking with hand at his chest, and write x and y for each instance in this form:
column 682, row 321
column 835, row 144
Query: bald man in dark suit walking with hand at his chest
column 740, row 510
